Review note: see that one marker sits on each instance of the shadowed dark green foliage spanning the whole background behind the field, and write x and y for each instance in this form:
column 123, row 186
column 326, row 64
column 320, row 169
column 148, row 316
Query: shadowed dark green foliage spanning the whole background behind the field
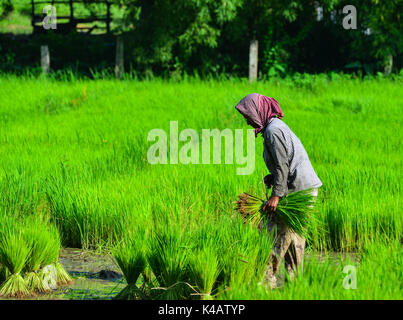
column 211, row 37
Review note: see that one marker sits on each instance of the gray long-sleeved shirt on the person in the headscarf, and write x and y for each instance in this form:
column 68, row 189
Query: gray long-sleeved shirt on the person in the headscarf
column 287, row 160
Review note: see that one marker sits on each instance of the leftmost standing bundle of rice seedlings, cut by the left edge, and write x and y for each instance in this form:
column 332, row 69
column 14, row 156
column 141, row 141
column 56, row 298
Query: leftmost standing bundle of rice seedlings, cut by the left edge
column 14, row 253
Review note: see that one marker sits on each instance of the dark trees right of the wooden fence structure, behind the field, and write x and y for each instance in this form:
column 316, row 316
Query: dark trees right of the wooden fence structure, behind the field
column 213, row 36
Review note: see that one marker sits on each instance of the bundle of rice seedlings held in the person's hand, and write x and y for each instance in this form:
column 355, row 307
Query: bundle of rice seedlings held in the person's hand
column 294, row 210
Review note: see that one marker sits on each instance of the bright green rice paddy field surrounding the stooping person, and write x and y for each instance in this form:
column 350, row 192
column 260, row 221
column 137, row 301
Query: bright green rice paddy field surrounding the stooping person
column 74, row 168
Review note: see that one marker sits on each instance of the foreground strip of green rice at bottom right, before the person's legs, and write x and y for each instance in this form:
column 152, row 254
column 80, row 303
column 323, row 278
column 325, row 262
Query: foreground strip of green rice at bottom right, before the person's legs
column 376, row 268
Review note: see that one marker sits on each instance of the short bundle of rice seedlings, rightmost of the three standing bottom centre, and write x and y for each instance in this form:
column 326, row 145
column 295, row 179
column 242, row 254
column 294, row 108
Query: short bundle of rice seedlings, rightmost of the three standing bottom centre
column 204, row 269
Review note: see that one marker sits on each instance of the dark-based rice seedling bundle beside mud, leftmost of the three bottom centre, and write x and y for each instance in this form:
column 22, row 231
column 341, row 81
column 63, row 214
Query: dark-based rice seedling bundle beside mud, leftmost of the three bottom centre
column 131, row 258
